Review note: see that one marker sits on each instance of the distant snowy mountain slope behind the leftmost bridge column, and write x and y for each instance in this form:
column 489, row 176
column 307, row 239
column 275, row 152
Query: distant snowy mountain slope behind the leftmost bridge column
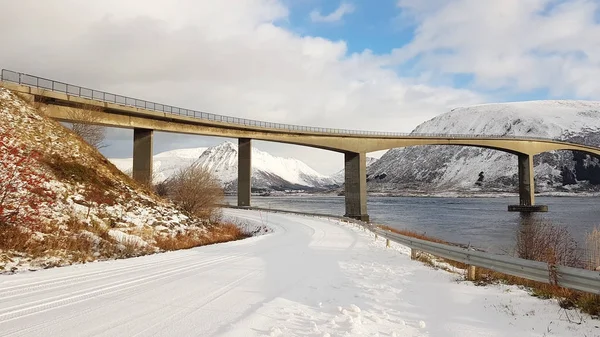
column 165, row 163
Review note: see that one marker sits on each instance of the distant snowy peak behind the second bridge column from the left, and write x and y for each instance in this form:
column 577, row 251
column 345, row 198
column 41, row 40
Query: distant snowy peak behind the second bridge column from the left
column 268, row 172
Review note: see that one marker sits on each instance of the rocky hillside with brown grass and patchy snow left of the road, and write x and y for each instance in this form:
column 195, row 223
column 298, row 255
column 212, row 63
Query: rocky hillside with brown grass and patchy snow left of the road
column 62, row 202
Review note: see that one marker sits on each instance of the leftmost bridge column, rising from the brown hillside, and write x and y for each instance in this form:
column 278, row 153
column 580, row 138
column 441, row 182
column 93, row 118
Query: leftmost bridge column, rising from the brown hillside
column 142, row 155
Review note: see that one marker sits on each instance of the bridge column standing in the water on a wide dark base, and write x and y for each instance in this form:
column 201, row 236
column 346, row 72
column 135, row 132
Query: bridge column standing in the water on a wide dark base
column 526, row 187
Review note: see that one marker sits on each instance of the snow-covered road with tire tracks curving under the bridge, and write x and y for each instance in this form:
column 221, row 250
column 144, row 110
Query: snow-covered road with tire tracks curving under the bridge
column 310, row 277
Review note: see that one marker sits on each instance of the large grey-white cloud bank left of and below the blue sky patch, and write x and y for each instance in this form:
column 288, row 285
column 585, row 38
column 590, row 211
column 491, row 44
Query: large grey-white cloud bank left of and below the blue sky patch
column 189, row 53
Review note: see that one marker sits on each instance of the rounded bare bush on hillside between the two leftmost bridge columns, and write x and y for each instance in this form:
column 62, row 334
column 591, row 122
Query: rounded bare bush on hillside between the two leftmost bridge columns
column 196, row 191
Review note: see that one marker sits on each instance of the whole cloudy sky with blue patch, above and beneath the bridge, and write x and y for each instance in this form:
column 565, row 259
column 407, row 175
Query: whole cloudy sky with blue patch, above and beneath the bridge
column 382, row 65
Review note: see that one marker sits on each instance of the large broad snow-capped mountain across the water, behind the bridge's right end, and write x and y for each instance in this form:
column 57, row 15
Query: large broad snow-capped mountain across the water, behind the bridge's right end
column 456, row 168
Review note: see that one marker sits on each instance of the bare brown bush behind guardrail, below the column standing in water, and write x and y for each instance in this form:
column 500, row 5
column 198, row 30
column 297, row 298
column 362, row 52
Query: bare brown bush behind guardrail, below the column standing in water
column 539, row 240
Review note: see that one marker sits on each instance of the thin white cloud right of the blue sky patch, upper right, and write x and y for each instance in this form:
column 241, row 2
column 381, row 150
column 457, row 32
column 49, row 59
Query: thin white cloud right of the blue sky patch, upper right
column 520, row 45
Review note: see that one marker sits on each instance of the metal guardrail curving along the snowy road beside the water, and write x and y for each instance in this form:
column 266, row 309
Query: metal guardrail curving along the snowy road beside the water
column 567, row 277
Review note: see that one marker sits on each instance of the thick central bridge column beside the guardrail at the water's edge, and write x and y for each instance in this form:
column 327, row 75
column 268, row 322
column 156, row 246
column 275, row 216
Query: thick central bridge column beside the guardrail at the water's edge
column 356, row 185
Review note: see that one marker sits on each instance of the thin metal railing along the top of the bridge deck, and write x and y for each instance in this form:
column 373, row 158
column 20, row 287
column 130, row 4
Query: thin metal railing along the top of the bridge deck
column 97, row 95
